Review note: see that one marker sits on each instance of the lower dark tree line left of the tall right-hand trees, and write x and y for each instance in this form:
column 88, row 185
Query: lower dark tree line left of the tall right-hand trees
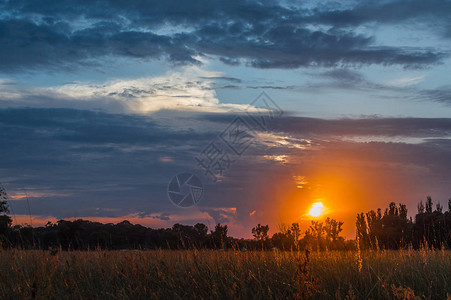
column 83, row 235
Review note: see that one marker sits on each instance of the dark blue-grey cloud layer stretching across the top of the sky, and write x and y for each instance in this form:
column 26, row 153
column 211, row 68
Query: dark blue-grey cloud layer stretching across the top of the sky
column 257, row 34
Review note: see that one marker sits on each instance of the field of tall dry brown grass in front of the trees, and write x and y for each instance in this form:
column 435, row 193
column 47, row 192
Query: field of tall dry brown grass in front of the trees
column 209, row 274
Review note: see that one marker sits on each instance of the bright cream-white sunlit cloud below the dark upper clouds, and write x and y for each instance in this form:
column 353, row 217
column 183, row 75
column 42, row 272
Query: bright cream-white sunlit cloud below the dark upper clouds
column 188, row 90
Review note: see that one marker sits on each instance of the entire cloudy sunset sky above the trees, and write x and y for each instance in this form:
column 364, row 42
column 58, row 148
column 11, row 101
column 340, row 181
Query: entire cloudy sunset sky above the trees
column 103, row 102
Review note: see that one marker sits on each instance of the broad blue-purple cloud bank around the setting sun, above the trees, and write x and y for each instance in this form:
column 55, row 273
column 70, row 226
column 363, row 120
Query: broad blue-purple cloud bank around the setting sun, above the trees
column 75, row 163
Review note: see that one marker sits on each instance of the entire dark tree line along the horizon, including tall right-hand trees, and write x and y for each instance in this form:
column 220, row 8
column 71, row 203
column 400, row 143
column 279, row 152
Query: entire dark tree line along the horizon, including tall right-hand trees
column 389, row 230
